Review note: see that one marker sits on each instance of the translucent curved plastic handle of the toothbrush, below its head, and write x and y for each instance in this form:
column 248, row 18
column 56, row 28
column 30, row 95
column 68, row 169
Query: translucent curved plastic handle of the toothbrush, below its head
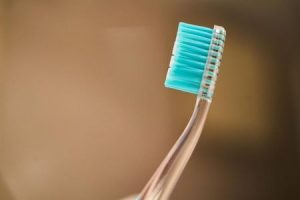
column 163, row 181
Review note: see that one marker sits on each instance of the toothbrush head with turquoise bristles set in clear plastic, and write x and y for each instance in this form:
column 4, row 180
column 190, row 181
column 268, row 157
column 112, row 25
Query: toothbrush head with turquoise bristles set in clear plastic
column 195, row 60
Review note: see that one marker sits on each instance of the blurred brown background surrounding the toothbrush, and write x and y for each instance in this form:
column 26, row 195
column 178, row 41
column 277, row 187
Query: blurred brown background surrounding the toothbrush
column 84, row 114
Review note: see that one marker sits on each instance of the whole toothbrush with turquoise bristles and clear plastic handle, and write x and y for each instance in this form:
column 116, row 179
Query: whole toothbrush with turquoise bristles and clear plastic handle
column 194, row 67
